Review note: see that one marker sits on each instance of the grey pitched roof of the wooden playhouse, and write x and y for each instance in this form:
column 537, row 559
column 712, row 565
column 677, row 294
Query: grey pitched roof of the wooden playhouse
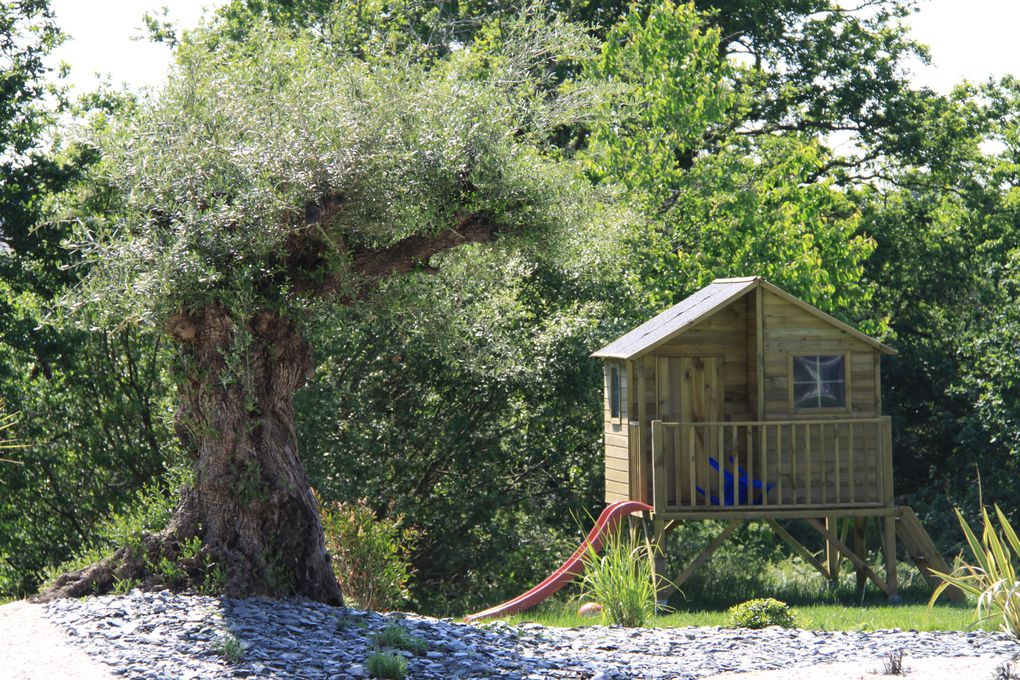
column 703, row 304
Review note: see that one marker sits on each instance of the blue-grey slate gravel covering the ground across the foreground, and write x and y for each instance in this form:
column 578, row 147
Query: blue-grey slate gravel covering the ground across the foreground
column 164, row 636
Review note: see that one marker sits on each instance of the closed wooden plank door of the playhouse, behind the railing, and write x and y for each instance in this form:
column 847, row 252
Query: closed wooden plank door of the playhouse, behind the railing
column 691, row 391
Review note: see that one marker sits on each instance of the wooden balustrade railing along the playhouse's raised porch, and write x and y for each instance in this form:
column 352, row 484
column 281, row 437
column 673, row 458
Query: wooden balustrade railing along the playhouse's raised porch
column 778, row 464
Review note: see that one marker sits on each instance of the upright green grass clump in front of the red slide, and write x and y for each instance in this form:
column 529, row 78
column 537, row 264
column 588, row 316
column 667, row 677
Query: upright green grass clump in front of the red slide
column 622, row 580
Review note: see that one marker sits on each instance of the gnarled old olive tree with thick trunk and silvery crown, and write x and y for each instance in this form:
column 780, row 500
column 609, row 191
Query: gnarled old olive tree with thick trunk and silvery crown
column 269, row 179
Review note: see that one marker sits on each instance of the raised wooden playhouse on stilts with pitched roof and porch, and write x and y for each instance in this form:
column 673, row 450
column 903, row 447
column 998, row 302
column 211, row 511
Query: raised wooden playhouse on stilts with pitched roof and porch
column 745, row 403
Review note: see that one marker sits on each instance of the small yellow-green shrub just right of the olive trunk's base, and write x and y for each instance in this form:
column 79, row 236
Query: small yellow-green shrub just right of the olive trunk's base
column 371, row 555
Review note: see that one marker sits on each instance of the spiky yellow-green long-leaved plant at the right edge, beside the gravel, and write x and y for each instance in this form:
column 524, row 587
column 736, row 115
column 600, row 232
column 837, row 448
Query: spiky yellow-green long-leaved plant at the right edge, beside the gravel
column 993, row 579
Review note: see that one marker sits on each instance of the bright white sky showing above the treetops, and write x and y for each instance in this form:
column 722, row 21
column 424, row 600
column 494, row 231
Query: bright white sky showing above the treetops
column 973, row 39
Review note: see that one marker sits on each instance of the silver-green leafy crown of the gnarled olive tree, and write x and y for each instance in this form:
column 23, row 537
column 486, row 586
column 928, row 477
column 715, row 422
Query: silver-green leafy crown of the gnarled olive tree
column 263, row 169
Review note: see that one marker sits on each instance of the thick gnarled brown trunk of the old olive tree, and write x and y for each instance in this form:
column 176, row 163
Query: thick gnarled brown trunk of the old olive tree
column 251, row 503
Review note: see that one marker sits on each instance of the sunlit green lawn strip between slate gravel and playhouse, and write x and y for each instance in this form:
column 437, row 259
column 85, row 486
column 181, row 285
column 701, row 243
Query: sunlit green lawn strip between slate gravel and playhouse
column 826, row 616
